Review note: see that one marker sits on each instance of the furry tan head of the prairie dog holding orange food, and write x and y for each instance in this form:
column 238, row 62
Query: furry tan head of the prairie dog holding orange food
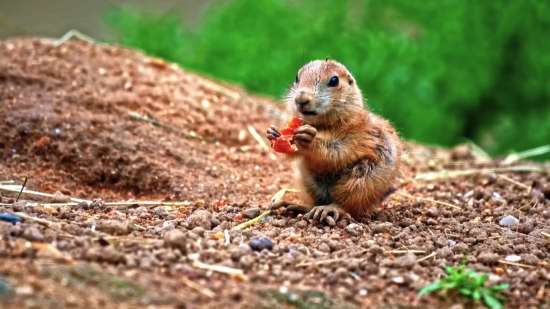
column 323, row 88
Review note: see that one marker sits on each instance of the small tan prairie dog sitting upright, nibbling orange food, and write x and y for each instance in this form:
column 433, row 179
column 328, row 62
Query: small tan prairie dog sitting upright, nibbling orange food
column 348, row 159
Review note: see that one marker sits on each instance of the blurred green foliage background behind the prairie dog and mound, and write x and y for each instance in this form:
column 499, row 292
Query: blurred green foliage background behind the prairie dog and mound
column 444, row 72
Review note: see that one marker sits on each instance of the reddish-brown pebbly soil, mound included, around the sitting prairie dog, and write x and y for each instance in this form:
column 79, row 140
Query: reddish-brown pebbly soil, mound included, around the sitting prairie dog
column 66, row 124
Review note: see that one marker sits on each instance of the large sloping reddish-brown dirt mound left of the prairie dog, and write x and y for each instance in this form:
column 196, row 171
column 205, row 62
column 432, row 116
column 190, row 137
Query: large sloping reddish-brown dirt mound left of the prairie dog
column 66, row 111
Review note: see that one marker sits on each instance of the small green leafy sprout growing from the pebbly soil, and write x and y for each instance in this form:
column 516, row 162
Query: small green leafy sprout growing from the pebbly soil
column 470, row 284
